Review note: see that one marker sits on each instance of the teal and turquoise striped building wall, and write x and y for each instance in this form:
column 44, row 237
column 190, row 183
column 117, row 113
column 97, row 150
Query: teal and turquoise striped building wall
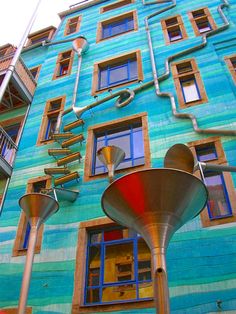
column 201, row 261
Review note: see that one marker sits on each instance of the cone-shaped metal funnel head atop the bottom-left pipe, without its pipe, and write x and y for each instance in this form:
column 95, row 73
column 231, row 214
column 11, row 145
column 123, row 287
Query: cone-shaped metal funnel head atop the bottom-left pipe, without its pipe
column 38, row 207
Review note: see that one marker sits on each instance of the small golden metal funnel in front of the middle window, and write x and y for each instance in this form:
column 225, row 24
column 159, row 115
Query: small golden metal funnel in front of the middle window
column 111, row 157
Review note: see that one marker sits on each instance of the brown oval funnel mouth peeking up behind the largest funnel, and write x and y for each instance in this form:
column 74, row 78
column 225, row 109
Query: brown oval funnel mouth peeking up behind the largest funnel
column 179, row 156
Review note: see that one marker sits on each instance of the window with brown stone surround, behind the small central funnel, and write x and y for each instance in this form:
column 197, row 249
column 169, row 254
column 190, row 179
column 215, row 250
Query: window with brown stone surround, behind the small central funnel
column 129, row 134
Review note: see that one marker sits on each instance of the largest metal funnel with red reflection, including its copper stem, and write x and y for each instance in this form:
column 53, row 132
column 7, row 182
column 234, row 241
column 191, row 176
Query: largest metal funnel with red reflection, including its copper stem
column 155, row 202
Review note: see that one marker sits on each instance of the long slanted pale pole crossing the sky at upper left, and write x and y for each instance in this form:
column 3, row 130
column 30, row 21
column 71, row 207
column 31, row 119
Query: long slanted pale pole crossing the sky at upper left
column 11, row 67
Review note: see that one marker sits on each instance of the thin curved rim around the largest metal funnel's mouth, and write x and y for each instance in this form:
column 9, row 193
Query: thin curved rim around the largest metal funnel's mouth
column 151, row 169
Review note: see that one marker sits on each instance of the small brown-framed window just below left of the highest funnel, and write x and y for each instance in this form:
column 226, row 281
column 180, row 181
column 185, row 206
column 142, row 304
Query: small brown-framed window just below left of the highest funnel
column 64, row 64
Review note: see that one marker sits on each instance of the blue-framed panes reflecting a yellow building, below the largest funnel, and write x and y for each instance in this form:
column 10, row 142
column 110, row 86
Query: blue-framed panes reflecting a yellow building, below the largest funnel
column 118, row 267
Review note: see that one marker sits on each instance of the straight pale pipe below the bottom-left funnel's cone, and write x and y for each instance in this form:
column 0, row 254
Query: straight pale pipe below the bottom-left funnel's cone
column 28, row 269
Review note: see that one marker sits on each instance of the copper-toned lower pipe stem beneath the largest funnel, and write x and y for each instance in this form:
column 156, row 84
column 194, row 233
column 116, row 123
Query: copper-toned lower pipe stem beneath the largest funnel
column 161, row 290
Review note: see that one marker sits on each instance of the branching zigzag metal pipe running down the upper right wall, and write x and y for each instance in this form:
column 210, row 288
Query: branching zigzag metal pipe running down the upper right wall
column 182, row 53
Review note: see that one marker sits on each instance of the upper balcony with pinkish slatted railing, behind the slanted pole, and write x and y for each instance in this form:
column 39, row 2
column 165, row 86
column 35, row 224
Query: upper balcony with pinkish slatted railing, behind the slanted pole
column 22, row 85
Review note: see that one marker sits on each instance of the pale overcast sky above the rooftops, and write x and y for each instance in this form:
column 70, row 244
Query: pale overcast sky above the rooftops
column 16, row 14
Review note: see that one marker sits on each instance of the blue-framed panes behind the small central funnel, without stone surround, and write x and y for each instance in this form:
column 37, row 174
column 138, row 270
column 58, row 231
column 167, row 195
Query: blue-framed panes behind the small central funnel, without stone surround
column 128, row 137
